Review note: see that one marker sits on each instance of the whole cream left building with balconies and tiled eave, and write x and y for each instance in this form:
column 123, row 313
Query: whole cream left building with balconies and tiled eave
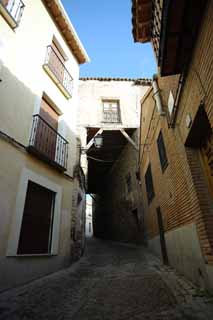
column 42, row 189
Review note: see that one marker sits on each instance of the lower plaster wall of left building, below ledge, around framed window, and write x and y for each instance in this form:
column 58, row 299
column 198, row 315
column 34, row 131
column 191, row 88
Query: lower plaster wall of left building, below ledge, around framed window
column 19, row 269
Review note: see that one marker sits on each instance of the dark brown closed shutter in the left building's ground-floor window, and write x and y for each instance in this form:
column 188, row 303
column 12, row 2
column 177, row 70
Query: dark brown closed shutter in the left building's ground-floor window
column 35, row 236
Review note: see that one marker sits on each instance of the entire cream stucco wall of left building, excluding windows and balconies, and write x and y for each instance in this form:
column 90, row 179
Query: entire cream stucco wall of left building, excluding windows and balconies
column 22, row 55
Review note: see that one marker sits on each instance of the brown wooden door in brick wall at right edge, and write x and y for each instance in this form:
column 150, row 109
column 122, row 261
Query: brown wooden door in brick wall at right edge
column 207, row 157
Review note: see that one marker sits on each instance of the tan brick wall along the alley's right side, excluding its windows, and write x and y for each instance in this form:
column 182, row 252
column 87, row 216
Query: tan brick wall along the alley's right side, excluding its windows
column 181, row 190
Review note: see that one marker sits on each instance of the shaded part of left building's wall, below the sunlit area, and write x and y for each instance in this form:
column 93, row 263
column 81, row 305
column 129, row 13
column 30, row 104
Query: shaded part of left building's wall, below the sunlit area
column 17, row 105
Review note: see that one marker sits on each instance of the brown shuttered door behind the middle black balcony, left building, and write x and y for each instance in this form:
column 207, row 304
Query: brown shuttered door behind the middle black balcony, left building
column 46, row 133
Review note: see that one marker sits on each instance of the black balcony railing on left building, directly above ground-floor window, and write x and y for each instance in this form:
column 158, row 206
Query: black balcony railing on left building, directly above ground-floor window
column 48, row 144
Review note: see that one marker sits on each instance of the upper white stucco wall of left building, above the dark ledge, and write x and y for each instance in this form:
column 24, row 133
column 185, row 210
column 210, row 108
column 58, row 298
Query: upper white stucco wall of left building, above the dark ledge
column 24, row 80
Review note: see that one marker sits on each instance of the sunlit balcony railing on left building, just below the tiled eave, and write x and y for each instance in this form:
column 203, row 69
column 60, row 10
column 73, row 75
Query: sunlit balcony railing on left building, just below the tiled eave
column 58, row 72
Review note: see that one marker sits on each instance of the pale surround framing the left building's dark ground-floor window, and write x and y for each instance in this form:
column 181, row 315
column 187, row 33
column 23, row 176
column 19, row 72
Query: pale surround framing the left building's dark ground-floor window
column 15, row 230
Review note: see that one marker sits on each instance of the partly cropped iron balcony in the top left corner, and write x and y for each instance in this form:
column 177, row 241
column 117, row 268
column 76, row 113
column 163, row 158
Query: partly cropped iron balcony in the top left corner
column 12, row 11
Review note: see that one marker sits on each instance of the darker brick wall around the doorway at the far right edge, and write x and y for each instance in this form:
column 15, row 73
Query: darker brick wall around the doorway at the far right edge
column 199, row 88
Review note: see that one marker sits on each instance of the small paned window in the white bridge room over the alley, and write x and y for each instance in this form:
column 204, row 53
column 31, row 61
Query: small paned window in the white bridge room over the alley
column 111, row 111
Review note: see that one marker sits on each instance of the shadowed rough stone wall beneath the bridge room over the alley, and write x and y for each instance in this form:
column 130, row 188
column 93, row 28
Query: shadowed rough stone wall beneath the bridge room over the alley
column 118, row 213
